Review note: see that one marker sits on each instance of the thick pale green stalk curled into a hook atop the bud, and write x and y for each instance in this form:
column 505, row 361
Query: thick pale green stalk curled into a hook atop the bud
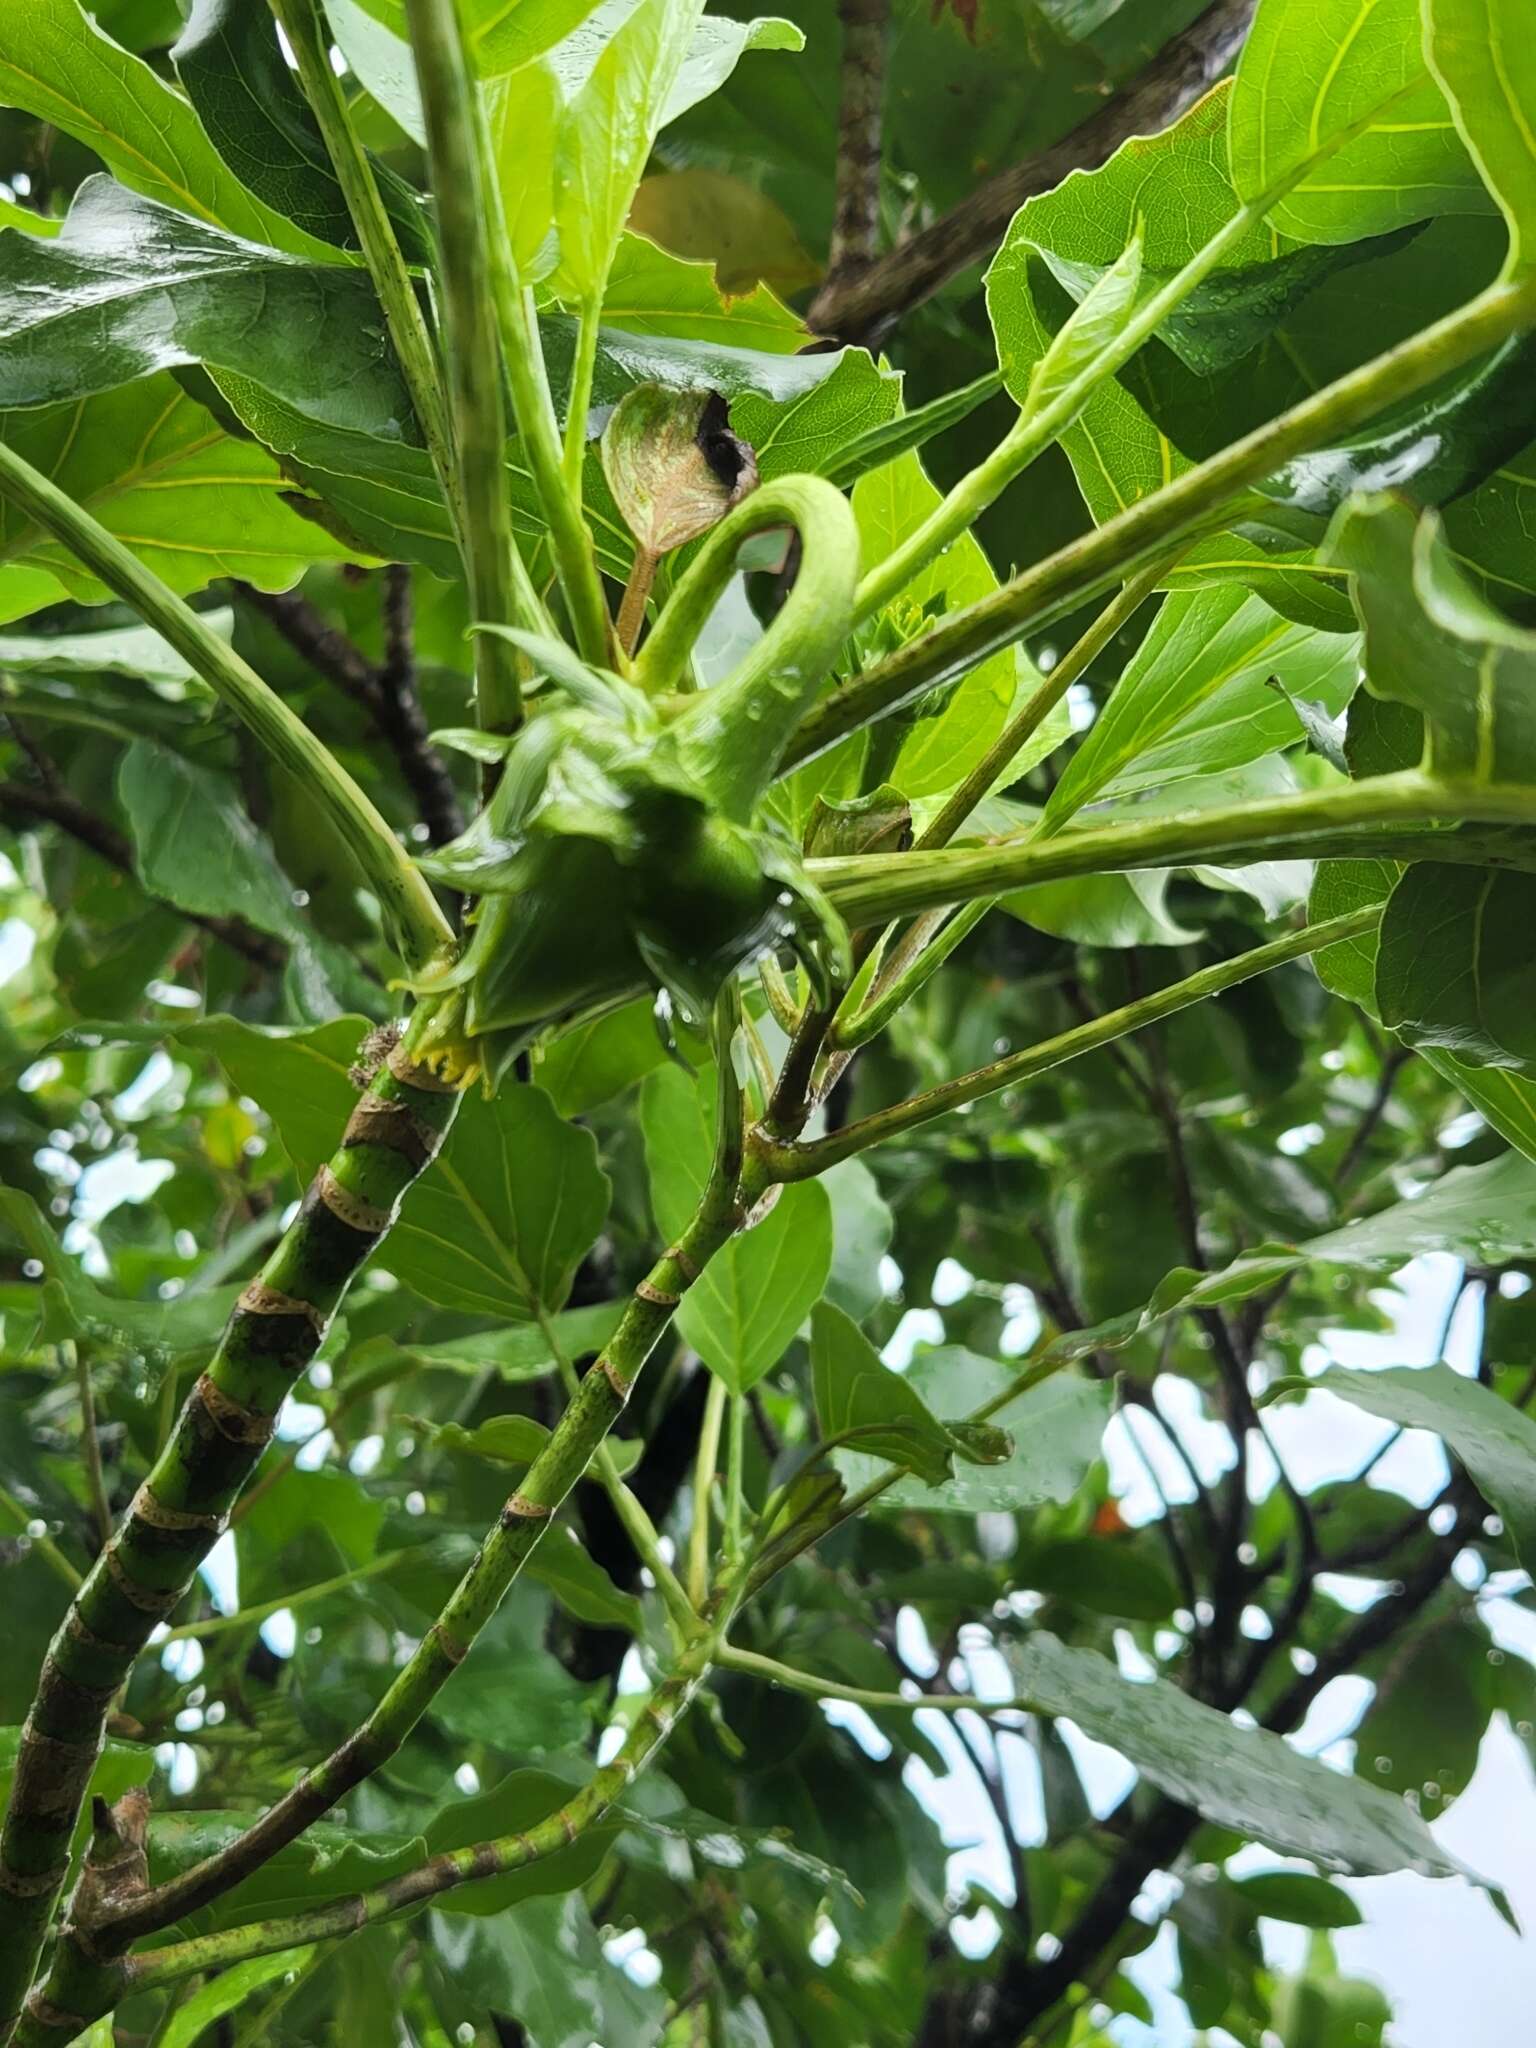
column 734, row 734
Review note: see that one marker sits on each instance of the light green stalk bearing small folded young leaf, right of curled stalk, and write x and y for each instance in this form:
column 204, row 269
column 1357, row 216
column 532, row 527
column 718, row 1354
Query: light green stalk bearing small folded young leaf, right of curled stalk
column 1037, row 427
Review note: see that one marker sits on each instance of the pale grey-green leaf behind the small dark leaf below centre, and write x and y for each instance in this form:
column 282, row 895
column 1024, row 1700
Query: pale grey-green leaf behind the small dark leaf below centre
column 1056, row 1433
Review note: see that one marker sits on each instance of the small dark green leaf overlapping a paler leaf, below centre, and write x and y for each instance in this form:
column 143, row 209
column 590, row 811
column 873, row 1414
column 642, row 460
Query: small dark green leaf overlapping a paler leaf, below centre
column 863, row 1402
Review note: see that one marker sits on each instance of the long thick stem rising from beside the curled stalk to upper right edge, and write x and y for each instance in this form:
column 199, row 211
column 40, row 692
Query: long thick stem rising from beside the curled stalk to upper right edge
column 1201, row 499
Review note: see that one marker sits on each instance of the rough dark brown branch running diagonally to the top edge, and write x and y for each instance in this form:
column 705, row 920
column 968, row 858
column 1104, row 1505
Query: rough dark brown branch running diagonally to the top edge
column 863, row 306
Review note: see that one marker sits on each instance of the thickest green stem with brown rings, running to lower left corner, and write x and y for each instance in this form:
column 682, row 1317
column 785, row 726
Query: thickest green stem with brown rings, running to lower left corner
column 183, row 1506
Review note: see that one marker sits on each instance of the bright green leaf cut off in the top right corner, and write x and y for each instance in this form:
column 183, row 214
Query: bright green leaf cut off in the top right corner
column 1482, row 54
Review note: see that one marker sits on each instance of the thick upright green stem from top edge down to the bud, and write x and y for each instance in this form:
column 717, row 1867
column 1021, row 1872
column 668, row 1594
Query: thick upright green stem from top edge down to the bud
column 501, row 591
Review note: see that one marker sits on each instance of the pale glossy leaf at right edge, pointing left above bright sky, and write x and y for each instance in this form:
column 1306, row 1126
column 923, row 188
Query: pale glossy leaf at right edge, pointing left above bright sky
column 1492, row 1439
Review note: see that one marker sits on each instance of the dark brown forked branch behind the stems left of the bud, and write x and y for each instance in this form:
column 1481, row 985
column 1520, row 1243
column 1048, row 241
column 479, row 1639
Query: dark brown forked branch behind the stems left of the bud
column 388, row 693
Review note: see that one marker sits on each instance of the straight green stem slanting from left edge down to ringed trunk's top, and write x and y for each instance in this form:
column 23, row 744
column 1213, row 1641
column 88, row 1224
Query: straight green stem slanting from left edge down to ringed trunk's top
column 419, row 929
